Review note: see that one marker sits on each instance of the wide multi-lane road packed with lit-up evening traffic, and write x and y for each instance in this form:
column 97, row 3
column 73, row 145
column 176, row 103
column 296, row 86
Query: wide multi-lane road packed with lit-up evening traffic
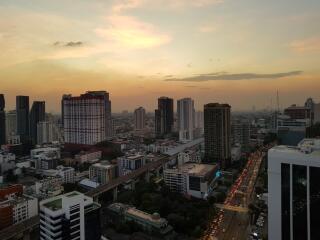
column 232, row 220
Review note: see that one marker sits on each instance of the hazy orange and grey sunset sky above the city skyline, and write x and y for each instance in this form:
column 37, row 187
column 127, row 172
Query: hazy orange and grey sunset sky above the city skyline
column 235, row 51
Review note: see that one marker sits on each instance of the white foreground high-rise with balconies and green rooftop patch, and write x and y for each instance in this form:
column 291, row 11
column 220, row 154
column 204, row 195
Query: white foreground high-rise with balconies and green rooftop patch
column 70, row 216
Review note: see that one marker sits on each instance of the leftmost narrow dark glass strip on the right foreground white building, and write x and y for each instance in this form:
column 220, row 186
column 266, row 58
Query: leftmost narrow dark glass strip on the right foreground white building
column 285, row 201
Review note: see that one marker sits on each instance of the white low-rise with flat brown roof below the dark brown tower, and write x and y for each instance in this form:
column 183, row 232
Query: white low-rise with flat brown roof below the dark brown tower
column 193, row 179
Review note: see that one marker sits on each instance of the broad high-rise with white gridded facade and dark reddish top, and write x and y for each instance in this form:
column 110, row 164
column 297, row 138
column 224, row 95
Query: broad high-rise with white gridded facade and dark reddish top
column 87, row 118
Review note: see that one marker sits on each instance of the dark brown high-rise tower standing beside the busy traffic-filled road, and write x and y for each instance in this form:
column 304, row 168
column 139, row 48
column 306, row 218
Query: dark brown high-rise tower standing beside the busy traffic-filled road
column 217, row 133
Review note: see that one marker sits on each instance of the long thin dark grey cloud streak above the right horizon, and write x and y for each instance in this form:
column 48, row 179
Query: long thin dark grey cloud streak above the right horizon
column 236, row 76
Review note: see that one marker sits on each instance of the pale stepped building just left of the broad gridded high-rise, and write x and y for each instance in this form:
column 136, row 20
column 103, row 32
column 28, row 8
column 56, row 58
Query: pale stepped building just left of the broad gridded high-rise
column 48, row 132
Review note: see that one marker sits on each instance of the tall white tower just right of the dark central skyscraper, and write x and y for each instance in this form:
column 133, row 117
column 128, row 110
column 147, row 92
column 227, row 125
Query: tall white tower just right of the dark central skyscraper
column 186, row 117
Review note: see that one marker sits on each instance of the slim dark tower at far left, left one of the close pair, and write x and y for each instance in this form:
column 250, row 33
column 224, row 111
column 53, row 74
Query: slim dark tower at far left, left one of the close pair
column 22, row 111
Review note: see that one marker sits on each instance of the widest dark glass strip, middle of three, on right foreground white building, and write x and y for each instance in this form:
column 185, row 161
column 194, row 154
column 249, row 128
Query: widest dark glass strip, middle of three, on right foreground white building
column 299, row 197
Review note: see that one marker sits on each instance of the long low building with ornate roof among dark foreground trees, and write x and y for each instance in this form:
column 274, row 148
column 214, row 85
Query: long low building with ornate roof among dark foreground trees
column 151, row 223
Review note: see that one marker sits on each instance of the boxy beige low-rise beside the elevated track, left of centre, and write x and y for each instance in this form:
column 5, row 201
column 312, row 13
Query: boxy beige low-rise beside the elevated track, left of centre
column 102, row 172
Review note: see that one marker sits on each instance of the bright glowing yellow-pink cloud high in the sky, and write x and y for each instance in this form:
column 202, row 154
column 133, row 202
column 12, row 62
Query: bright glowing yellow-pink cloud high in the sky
column 130, row 32
